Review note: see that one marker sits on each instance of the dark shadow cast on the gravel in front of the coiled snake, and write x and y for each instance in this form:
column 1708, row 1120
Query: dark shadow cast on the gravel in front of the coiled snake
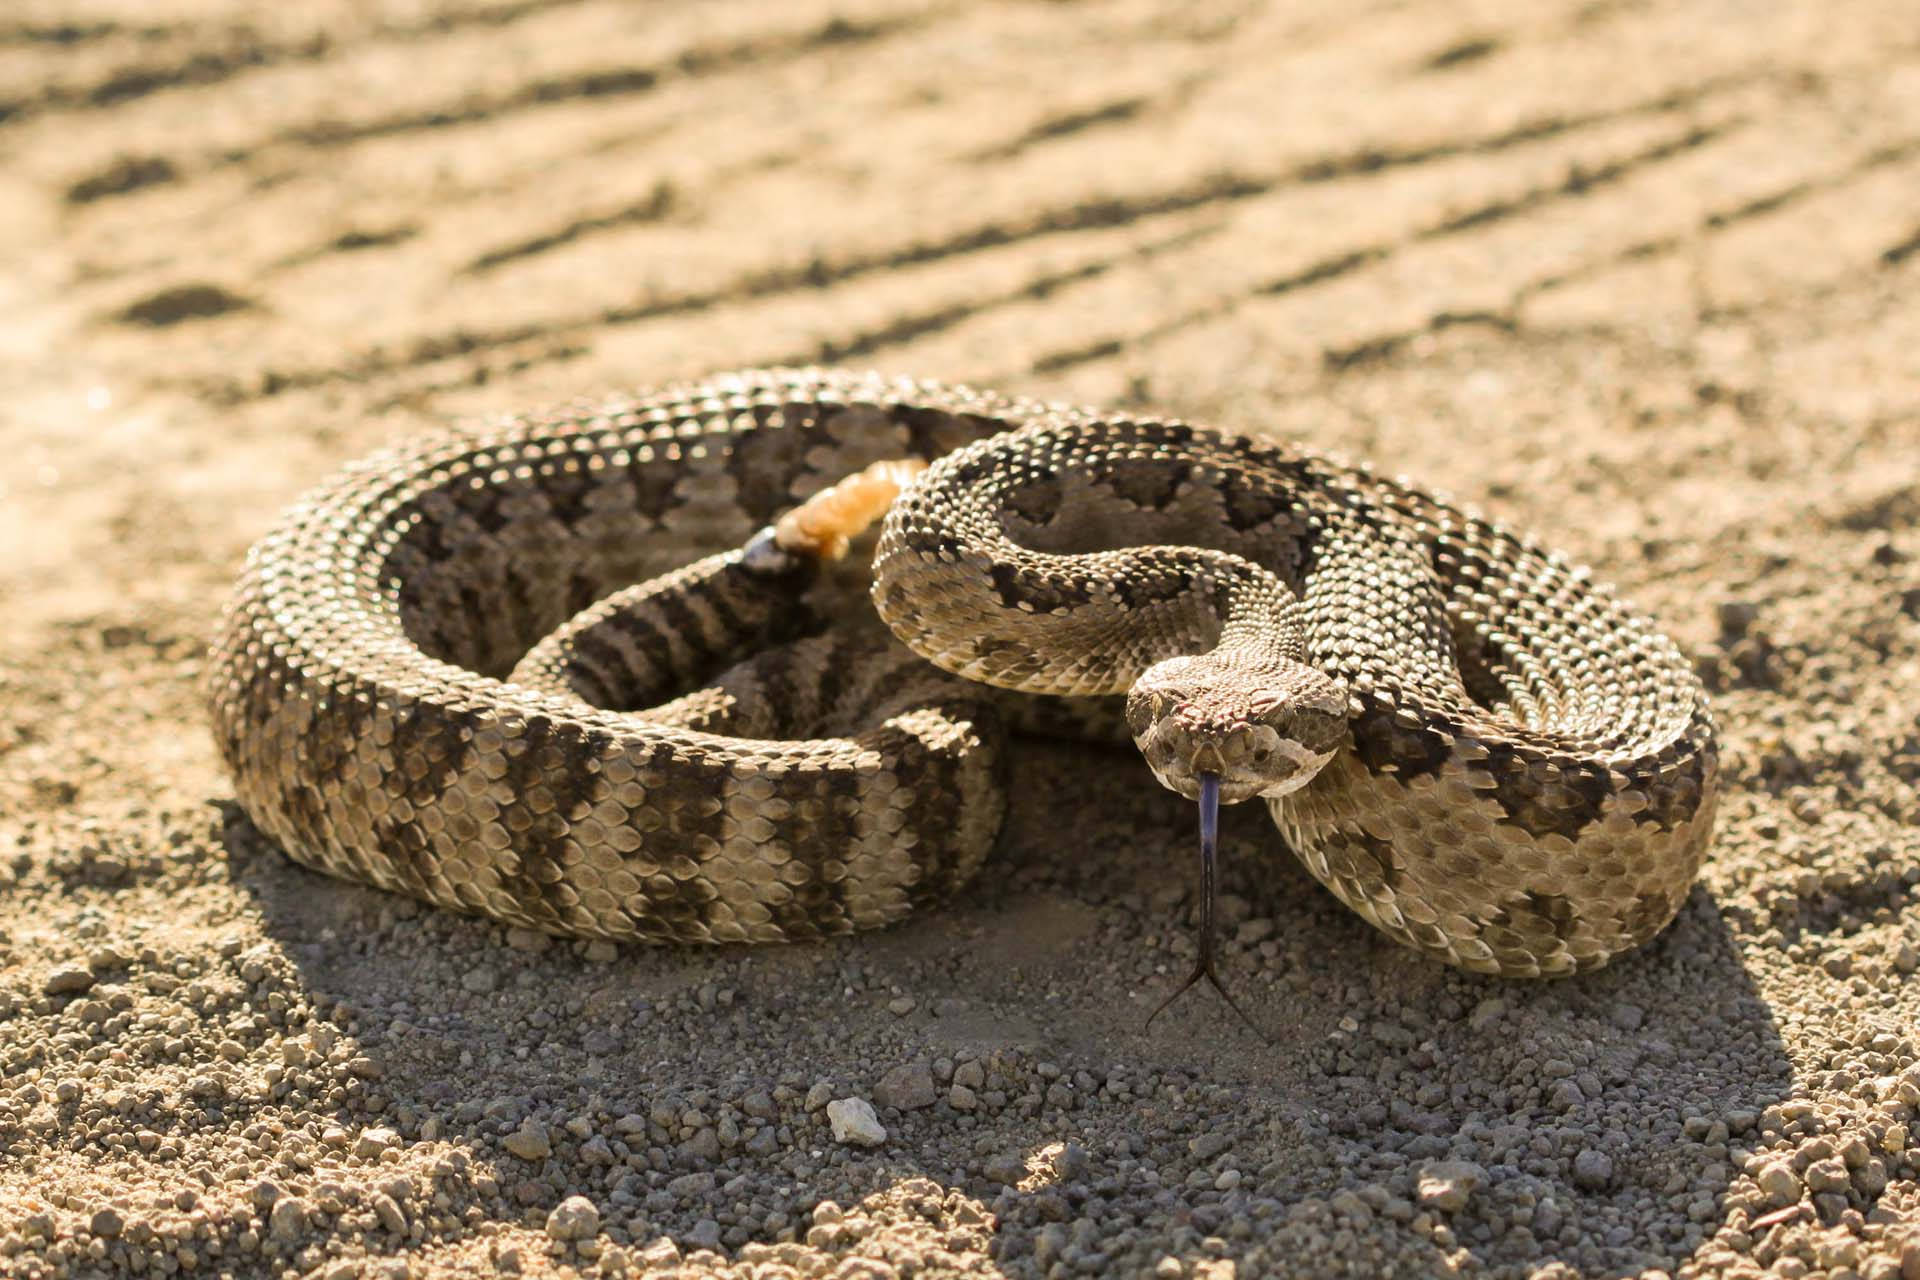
column 1593, row 1124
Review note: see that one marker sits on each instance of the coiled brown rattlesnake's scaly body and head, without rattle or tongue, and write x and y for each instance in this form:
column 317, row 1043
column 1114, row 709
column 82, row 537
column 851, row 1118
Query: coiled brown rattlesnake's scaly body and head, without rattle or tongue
column 441, row 678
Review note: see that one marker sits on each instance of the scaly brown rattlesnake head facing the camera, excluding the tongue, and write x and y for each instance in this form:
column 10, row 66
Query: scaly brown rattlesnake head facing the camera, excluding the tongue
column 1262, row 726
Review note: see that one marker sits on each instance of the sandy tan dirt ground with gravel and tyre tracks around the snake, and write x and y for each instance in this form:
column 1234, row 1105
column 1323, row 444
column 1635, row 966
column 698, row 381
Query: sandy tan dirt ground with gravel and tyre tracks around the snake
column 1637, row 277
